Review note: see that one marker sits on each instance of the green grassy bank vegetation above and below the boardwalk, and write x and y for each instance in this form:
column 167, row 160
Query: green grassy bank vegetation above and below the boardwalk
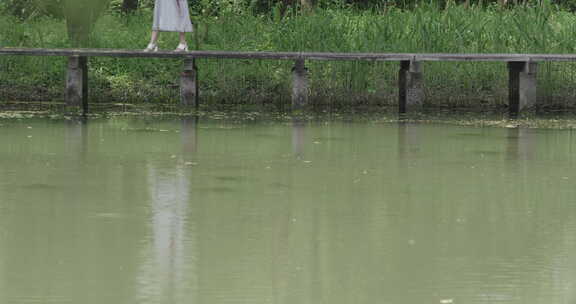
column 447, row 27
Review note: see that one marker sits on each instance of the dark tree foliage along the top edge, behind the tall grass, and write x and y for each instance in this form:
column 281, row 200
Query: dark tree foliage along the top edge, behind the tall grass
column 26, row 9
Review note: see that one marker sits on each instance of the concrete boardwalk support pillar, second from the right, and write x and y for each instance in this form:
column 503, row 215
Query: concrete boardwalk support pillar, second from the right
column 411, row 86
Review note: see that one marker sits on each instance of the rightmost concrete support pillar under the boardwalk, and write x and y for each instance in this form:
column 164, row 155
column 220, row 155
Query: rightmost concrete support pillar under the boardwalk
column 521, row 86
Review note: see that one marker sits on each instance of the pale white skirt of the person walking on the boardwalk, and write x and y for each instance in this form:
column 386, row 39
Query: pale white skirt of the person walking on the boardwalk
column 172, row 16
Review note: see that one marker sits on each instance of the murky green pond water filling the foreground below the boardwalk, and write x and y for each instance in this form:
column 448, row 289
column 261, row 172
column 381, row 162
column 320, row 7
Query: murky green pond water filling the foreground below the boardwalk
column 181, row 210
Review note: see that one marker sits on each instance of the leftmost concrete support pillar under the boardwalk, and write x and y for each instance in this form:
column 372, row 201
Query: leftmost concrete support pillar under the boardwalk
column 77, row 82
